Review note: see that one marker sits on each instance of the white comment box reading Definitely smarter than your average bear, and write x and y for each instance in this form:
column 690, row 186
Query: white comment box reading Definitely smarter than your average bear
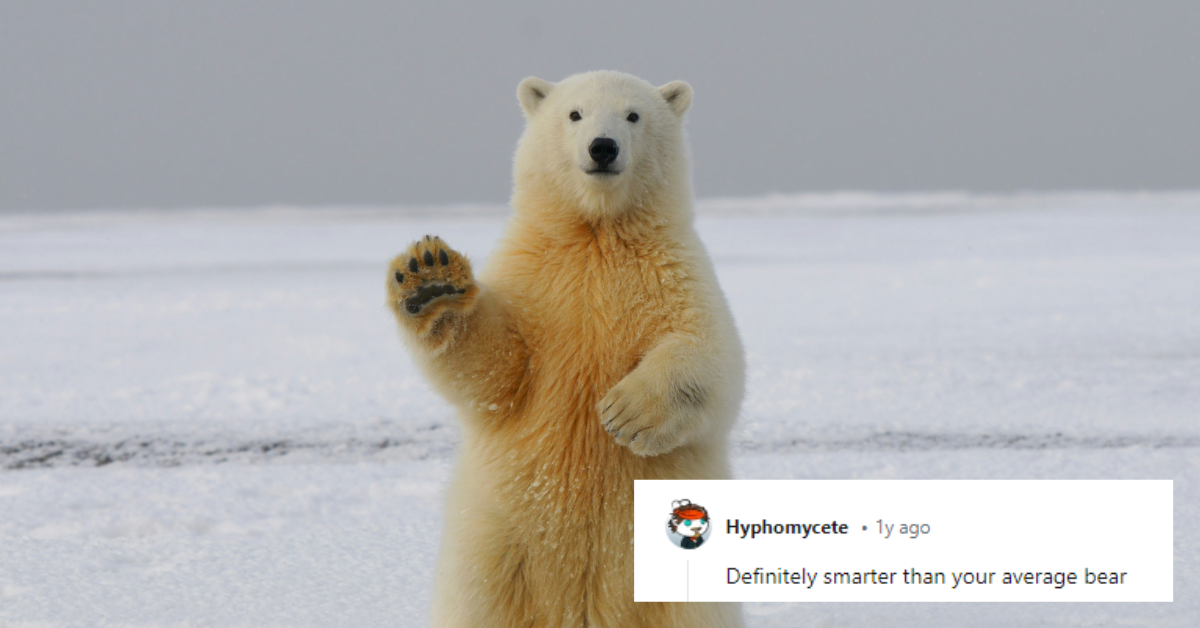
column 904, row 541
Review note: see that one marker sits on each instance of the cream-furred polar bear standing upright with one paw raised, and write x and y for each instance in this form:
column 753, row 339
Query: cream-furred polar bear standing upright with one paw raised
column 595, row 349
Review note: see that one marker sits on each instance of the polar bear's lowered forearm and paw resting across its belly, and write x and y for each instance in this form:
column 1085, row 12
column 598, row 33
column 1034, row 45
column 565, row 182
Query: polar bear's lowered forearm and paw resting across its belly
column 673, row 397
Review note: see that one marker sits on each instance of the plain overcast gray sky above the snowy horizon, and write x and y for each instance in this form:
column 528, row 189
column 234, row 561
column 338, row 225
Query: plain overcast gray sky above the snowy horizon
column 154, row 104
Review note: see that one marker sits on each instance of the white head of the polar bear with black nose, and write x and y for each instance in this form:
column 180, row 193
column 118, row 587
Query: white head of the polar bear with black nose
column 602, row 143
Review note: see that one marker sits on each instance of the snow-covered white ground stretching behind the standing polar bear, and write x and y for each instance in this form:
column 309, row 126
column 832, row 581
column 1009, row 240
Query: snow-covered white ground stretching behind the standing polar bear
column 207, row 417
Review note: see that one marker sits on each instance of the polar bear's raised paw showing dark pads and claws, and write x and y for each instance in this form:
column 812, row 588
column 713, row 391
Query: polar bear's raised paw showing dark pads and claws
column 430, row 278
